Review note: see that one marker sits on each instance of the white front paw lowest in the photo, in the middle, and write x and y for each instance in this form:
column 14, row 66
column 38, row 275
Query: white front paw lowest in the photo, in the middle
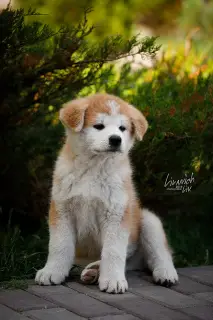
column 113, row 285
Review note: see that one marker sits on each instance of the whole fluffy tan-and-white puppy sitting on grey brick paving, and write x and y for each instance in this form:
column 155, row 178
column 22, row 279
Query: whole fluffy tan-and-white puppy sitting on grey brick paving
column 94, row 211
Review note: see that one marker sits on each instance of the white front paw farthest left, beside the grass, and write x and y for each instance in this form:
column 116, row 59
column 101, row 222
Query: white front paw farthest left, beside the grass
column 48, row 276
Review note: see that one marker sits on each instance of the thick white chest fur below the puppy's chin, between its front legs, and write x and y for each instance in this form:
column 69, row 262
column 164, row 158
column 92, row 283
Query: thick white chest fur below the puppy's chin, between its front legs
column 93, row 194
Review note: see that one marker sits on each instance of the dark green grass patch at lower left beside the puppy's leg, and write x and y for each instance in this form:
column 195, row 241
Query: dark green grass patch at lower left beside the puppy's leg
column 20, row 256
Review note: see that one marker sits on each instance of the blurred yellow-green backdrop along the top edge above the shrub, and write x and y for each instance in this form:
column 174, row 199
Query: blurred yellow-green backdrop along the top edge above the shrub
column 173, row 20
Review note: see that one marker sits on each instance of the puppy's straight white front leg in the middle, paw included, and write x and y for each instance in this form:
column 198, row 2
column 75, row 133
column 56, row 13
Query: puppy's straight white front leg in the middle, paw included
column 113, row 259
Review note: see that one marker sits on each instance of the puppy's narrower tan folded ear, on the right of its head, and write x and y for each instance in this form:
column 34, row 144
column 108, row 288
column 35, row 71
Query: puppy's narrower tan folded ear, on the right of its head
column 139, row 122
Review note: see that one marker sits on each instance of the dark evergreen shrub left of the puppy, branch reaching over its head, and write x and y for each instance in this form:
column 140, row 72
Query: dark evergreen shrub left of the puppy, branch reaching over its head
column 40, row 69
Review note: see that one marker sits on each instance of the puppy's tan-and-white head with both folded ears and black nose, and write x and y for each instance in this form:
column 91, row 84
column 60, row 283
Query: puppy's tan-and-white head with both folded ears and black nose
column 103, row 123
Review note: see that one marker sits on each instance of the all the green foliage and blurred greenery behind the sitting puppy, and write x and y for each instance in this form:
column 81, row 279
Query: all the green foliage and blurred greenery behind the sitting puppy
column 50, row 58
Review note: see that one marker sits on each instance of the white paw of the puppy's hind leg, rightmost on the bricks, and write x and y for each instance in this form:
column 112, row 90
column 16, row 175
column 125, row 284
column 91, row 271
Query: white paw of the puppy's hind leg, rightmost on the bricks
column 165, row 275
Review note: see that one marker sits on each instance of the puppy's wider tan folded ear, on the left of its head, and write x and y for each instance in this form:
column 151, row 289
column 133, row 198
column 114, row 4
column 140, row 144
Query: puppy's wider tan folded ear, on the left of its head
column 72, row 114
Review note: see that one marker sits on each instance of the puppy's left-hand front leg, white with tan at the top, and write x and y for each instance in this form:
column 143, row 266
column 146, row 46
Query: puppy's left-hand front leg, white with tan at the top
column 61, row 248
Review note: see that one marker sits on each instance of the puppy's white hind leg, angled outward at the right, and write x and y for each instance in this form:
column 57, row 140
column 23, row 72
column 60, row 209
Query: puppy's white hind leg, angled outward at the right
column 156, row 250
